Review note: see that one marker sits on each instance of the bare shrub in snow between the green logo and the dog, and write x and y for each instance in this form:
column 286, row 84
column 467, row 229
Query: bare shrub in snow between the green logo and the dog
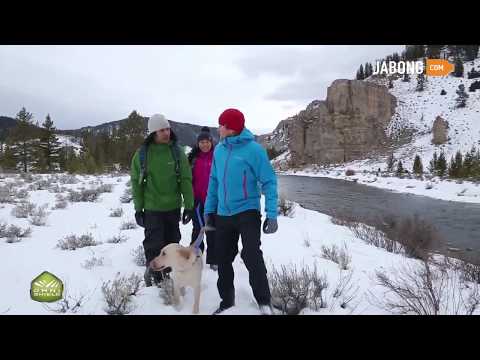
column 118, row 294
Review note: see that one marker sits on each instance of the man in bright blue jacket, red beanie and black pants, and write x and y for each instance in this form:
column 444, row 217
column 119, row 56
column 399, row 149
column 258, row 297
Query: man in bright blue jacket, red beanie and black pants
column 240, row 172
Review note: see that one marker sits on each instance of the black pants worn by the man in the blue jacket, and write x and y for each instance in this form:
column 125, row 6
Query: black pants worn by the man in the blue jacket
column 247, row 225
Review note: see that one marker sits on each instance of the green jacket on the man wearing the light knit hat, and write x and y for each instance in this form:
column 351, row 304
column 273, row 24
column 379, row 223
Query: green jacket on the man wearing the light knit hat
column 161, row 191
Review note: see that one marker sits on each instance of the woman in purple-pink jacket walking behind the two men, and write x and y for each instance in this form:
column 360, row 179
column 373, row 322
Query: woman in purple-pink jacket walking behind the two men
column 201, row 158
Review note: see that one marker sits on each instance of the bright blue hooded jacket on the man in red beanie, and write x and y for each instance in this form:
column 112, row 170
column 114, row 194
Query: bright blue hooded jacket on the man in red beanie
column 240, row 172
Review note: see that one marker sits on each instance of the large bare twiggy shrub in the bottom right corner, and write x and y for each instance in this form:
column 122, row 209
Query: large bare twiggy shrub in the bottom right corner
column 428, row 289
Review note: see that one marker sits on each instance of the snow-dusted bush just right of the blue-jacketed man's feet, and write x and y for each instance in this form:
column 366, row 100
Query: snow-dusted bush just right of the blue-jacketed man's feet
column 294, row 290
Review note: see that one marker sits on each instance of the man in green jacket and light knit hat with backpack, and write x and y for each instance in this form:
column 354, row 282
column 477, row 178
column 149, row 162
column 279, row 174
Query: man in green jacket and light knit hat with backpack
column 160, row 175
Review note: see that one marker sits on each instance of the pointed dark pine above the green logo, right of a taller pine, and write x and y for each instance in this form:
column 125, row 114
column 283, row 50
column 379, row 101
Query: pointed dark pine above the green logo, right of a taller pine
column 48, row 148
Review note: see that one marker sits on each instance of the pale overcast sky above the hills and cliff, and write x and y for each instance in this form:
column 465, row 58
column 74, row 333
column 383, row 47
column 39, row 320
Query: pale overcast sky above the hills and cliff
column 90, row 85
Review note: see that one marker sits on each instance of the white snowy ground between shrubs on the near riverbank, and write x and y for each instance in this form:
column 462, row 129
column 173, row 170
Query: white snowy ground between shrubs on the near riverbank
column 21, row 262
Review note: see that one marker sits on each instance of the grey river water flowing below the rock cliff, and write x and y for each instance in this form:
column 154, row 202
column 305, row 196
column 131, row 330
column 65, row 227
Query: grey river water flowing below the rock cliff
column 457, row 223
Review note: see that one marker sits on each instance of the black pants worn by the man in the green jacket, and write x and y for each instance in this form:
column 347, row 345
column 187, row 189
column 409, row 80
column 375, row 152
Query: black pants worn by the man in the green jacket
column 161, row 228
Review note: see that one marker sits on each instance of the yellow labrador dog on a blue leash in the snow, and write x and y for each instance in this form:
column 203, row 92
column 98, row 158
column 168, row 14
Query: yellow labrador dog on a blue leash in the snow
column 186, row 267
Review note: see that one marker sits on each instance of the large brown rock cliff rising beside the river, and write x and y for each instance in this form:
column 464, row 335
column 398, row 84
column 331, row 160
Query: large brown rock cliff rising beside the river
column 346, row 126
